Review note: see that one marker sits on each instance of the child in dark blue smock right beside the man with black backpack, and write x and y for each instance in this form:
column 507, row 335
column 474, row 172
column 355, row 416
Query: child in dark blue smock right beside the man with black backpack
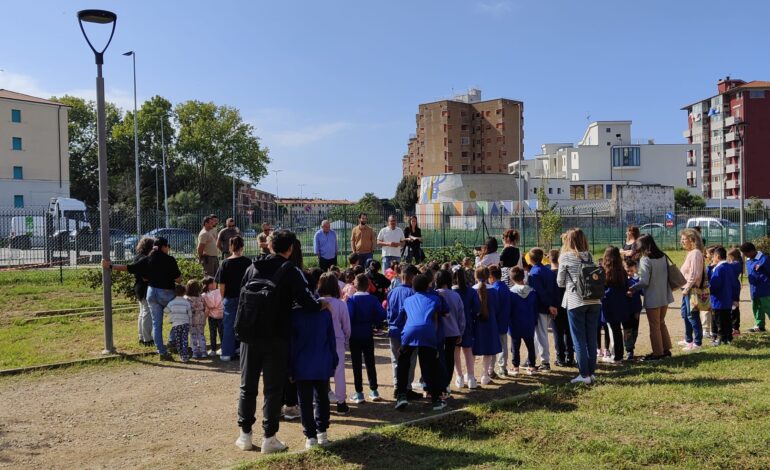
column 312, row 360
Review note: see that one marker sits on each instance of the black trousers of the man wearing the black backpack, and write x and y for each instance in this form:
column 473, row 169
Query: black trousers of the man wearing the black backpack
column 270, row 358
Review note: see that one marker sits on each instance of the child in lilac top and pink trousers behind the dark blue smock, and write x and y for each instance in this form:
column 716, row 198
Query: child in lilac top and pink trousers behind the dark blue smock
column 329, row 290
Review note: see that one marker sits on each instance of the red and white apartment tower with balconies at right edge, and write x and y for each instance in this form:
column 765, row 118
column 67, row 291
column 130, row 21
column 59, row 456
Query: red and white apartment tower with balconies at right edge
column 732, row 125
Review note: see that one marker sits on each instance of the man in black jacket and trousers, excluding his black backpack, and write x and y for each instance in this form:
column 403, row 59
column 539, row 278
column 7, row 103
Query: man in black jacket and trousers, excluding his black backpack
column 270, row 355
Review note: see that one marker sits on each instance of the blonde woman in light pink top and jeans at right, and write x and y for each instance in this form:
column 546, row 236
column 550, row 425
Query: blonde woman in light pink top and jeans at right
column 692, row 270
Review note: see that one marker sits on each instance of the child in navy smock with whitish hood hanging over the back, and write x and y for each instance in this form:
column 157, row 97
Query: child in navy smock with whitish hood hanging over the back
column 523, row 320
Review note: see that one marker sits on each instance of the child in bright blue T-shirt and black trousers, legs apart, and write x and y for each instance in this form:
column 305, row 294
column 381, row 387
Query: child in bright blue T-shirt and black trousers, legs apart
column 420, row 335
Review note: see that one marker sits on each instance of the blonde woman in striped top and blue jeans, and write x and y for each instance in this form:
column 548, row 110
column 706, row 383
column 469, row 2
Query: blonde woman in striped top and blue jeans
column 583, row 314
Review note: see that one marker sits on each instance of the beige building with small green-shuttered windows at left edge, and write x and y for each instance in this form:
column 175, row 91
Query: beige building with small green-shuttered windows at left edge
column 34, row 150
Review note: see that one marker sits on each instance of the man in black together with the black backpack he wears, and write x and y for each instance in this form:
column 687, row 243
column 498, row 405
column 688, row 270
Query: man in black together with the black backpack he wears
column 270, row 288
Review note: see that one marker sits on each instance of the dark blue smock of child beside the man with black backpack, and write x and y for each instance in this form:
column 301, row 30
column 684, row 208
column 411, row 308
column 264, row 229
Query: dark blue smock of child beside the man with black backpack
column 313, row 345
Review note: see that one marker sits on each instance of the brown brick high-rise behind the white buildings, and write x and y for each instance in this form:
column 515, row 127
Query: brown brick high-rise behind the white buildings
column 465, row 135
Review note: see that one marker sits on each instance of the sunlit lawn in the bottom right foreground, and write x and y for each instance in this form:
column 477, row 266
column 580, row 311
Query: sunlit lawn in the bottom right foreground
column 707, row 410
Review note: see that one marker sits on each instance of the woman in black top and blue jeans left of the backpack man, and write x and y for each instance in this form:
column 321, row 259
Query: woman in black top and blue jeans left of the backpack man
column 229, row 277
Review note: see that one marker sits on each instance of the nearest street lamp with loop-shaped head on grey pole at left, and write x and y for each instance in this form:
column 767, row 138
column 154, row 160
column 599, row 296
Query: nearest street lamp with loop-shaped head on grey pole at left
column 102, row 17
